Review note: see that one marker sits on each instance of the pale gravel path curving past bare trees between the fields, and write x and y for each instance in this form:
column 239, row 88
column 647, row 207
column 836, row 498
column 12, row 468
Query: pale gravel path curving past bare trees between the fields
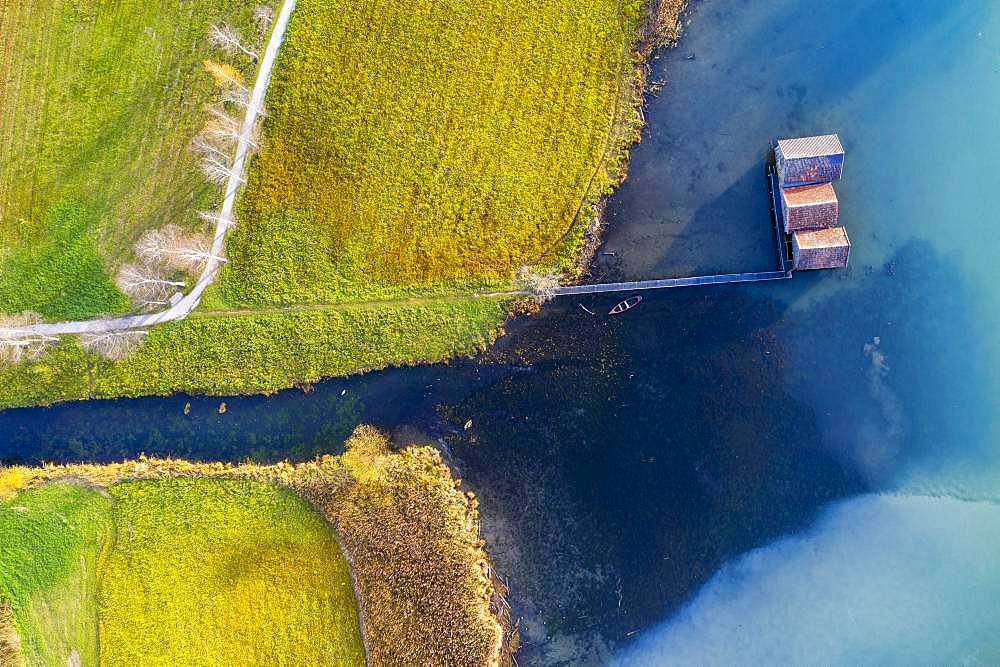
column 183, row 308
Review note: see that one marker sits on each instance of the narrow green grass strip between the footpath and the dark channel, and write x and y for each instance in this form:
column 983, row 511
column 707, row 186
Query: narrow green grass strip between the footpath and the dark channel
column 259, row 352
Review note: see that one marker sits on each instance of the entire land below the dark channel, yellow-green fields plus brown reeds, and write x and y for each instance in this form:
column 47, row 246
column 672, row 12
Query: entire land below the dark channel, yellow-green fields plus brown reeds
column 224, row 564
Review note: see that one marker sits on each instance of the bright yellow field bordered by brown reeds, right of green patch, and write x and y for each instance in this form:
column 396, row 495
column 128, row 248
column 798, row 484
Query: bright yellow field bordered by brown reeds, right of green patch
column 226, row 573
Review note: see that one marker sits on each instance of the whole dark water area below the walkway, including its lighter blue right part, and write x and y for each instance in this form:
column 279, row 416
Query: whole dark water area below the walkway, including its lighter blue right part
column 689, row 435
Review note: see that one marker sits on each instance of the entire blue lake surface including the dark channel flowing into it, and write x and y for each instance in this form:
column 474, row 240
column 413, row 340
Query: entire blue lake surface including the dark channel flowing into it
column 777, row 472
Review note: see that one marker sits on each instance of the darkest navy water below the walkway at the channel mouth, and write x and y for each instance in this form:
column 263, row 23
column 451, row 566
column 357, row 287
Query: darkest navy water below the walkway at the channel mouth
column 640, row 453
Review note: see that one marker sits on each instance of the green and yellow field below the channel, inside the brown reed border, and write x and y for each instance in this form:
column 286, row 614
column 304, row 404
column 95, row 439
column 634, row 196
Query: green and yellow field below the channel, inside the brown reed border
column 177, row 571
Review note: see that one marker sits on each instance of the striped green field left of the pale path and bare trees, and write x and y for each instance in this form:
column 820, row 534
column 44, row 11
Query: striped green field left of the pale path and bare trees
column 98, row 104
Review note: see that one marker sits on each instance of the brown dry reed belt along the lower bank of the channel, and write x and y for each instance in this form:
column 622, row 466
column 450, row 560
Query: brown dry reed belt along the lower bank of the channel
column 362, row 495
